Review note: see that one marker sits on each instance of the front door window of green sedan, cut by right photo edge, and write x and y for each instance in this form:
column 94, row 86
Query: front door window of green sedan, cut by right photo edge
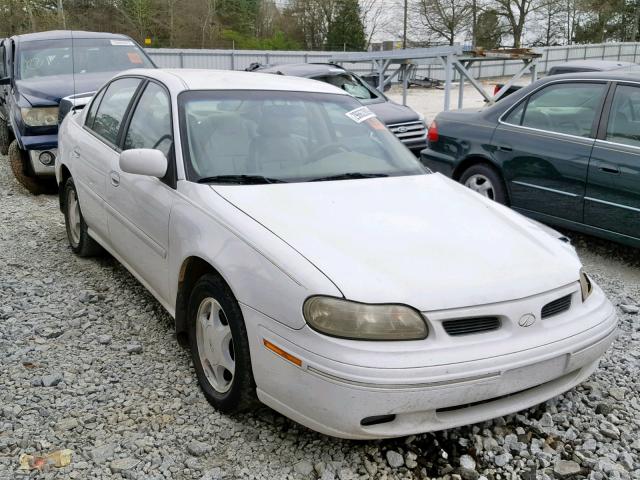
column 624, row 119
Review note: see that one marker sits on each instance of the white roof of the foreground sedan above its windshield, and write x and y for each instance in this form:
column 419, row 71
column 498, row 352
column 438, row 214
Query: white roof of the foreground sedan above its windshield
column 200, row 79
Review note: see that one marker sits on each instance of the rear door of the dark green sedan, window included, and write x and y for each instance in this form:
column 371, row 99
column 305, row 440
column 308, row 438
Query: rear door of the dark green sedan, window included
column 544, row 145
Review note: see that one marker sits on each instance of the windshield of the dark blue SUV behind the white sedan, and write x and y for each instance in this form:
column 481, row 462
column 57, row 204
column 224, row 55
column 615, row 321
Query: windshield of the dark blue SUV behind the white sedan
column 44, row 58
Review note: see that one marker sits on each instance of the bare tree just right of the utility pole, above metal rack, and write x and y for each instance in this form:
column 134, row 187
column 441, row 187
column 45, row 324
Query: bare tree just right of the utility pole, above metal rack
column 447, row 18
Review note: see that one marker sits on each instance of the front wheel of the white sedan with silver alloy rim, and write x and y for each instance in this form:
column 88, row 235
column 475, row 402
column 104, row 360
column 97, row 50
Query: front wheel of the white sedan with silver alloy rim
column 229, row 392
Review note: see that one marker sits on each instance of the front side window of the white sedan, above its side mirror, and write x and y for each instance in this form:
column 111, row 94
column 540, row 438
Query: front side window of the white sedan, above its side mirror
column 150, row 125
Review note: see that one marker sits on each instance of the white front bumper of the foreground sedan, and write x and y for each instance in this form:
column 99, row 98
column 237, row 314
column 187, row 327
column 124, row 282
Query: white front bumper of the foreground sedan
column 333, row 397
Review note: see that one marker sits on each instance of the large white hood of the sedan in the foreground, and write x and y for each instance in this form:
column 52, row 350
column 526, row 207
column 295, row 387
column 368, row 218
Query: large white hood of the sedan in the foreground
column 424, row 240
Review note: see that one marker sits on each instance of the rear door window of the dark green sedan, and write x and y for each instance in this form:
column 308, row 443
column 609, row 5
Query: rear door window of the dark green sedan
column 564, row 108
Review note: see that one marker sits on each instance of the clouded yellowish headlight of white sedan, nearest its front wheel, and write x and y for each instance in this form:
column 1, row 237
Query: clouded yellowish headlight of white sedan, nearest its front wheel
column 361, row 321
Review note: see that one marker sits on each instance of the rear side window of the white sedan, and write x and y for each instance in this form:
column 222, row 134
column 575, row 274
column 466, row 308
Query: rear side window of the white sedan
column 112, row 108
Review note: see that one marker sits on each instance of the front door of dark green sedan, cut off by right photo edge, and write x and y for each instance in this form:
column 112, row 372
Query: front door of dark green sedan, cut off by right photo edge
column 612, row 201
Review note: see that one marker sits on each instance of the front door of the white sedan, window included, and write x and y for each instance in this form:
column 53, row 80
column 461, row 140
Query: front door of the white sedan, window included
column 138, row 206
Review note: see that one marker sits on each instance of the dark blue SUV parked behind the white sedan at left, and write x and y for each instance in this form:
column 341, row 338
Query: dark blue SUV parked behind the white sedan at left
column 36, row 72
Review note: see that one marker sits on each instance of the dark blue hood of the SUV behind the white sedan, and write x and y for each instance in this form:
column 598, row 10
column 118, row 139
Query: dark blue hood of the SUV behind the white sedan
column 49, row 90
